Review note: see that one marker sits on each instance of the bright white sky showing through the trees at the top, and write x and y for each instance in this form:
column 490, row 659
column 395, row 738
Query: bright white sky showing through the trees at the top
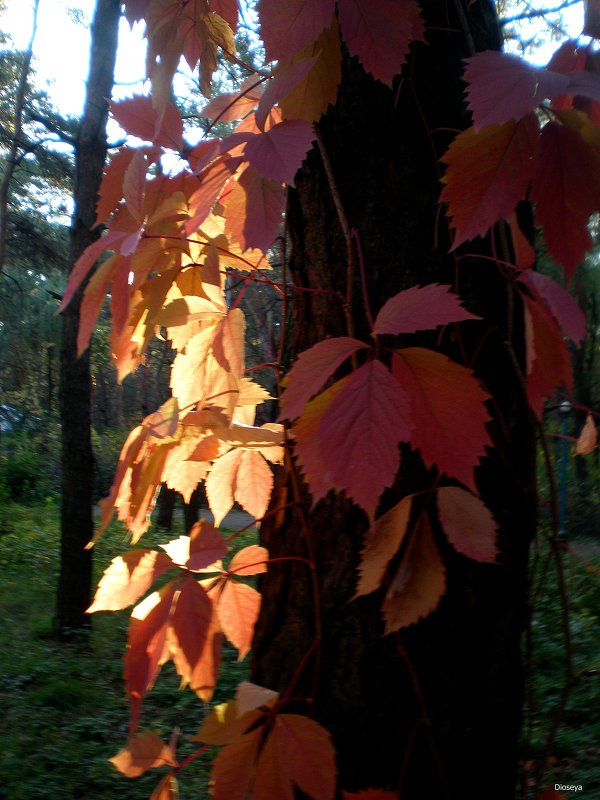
column 61, row 46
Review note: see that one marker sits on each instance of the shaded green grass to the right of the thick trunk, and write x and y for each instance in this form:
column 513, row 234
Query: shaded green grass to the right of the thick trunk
column 572, row 754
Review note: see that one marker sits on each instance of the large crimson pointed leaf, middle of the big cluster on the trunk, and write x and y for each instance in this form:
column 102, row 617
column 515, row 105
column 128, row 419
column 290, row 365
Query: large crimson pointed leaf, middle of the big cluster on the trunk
column 359, row 434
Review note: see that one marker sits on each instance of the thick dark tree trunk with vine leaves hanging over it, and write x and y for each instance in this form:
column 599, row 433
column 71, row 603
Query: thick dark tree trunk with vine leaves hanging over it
column 433, row 711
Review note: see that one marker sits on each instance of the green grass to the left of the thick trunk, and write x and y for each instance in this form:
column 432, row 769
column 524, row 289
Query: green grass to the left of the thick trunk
column 64, row 707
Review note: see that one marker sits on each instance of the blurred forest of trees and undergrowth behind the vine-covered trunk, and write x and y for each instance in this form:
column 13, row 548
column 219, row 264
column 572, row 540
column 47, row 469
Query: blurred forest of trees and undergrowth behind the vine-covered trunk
column 50, row 686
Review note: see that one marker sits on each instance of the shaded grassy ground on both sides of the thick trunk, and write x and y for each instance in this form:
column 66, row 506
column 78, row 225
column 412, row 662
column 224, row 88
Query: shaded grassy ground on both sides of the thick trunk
column 65, row 711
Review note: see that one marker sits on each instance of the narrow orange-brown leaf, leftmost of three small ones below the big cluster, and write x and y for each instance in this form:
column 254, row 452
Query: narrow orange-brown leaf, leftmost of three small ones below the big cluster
column 382, row 542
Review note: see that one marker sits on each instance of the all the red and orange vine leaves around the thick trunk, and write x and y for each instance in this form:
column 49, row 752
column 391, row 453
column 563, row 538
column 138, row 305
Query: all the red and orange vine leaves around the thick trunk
column 173, row 237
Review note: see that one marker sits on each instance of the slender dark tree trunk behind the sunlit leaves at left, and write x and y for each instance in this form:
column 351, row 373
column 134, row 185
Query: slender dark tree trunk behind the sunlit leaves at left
column 74, row 586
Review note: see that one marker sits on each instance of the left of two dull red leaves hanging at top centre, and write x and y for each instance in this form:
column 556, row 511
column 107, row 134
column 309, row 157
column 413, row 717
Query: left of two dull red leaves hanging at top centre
column 288, row 27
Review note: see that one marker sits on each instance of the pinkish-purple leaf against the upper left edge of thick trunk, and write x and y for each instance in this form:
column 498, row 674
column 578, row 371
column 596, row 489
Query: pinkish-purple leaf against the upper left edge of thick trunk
column 278, row 153
